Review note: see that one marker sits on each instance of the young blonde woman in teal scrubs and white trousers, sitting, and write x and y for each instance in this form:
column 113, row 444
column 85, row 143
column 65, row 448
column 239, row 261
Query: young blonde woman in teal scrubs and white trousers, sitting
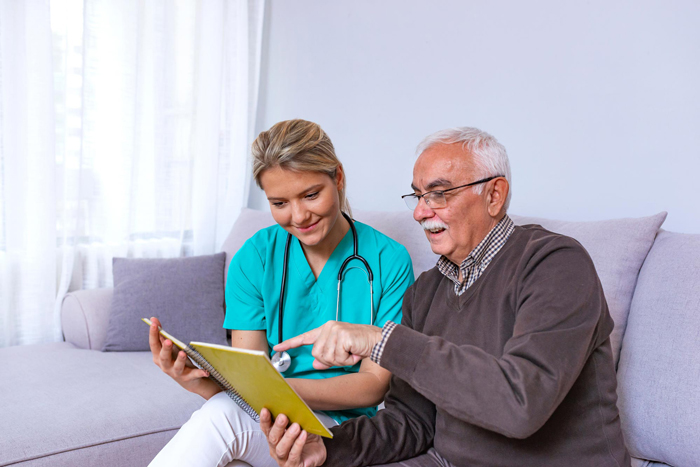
column 295, row 164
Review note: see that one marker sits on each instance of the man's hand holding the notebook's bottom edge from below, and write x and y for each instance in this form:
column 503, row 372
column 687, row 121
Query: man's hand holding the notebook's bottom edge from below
column 291, row 447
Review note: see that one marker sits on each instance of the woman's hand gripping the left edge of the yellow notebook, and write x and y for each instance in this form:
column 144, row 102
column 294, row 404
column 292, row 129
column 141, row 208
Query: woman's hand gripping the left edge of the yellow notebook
column 178, row 367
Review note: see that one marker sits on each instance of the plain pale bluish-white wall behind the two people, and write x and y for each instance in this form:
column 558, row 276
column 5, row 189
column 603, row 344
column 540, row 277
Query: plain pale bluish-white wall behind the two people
column 597, row 102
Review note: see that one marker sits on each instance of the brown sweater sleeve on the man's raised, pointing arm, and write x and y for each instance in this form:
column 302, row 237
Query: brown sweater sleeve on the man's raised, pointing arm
column 558, row 306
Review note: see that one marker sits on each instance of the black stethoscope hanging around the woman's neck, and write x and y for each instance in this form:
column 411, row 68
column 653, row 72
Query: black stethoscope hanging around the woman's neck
column 282, row 360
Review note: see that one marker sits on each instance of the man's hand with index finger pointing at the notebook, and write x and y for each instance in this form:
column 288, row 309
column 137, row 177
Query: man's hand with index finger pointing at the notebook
column 336, row 343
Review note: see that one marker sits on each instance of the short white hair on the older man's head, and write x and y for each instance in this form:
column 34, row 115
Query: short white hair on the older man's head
column 490, row 157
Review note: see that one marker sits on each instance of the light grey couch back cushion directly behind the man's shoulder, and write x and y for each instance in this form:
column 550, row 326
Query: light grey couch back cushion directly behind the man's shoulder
column 618, row 248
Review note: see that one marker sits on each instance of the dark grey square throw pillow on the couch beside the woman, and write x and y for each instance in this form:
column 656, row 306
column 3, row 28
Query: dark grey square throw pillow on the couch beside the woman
column 185, row 294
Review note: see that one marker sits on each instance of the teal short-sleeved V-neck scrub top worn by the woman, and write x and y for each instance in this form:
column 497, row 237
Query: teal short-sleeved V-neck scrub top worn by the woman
column 255, row 277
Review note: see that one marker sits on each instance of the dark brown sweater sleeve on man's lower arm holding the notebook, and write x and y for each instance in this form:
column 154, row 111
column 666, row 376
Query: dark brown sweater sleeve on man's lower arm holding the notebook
column 402, row 430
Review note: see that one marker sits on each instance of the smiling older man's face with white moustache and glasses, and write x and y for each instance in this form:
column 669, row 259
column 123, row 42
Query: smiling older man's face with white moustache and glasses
column 454, row 230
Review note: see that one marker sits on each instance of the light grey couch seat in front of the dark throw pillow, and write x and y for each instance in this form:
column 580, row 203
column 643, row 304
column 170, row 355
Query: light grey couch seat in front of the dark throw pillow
column 67, row 406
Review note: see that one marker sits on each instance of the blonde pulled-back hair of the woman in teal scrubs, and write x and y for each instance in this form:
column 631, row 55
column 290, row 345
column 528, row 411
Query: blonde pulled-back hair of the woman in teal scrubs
column 300, row 146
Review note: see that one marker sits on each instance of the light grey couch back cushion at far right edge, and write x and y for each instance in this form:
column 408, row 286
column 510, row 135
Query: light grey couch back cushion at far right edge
column 659, row 371
